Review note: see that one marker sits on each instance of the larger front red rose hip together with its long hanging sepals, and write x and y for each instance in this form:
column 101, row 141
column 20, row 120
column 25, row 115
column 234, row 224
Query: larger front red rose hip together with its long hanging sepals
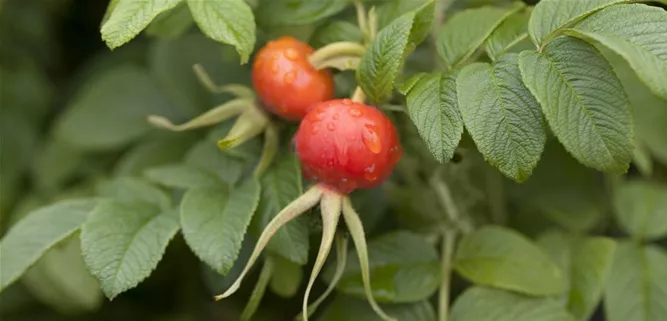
column 345, row 145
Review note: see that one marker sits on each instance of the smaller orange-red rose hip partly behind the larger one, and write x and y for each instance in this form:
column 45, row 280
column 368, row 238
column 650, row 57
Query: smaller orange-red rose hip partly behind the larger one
column 286, row 82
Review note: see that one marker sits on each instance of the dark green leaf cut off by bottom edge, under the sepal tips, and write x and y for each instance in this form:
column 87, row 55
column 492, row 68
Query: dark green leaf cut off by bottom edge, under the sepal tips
column 345, row 308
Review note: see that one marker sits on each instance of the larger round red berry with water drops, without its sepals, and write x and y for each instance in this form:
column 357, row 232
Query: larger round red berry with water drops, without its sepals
column 347, row 145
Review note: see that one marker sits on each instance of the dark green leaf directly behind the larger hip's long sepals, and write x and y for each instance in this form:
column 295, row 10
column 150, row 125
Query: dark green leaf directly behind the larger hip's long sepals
column 403, row 268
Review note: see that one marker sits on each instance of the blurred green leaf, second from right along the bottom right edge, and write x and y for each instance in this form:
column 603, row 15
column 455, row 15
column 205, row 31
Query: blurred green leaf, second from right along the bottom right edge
column 587, row 264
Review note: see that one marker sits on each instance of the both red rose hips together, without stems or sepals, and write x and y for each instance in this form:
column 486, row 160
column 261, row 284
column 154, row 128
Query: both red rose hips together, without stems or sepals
column 343, row 144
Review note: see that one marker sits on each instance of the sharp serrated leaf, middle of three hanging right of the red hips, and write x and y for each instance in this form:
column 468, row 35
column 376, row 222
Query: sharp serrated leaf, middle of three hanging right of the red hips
column 502, row 116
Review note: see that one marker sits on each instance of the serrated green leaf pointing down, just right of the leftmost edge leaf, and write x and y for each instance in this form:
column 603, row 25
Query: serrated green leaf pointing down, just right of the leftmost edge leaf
column 122, row 243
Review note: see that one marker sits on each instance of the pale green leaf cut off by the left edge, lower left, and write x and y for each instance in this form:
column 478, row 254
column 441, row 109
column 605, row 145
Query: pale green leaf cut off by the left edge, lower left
column 40, row 230
